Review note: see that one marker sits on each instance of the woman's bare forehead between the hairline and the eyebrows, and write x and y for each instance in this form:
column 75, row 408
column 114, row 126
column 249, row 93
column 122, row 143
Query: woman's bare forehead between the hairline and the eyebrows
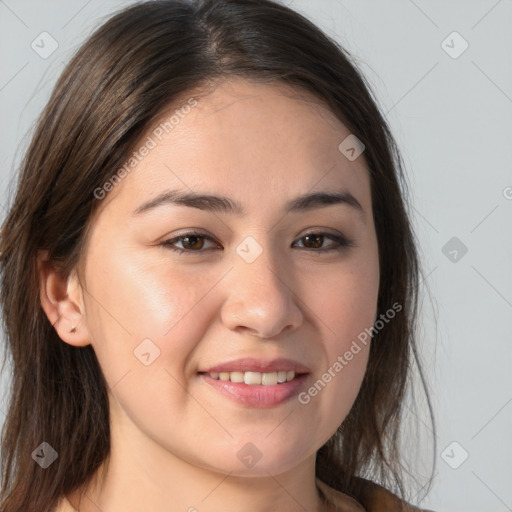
column 258, row 143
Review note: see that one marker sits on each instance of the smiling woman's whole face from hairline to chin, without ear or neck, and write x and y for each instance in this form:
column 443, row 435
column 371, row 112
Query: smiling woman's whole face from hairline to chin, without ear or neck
column 176, row 295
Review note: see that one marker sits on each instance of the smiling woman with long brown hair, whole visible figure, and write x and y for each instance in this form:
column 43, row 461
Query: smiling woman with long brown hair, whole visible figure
column 209, row 277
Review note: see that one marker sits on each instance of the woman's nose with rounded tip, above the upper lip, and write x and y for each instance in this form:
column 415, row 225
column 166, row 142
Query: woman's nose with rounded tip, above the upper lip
column 261, row 298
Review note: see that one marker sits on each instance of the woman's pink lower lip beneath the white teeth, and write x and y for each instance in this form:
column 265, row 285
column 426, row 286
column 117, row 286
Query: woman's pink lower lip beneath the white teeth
column 257, row 395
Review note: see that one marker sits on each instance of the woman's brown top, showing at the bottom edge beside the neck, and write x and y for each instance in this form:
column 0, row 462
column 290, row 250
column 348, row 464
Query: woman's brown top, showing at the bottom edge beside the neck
column 376, row 498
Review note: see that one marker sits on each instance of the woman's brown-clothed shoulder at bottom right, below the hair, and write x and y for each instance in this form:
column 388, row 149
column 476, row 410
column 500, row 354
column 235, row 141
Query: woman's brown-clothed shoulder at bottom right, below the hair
column 374, row 498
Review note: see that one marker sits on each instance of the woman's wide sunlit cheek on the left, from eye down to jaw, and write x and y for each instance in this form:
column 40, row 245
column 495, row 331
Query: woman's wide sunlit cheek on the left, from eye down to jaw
column 146, row 321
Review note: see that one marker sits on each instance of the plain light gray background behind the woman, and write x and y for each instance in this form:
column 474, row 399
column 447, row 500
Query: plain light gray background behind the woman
column 451, row 114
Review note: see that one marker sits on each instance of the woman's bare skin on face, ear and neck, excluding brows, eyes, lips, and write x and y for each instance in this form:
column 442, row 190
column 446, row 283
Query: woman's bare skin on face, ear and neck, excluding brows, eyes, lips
column 173, row 437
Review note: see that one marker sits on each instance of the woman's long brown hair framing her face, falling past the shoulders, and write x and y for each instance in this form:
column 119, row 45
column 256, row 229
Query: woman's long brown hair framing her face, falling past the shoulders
column 144, row 58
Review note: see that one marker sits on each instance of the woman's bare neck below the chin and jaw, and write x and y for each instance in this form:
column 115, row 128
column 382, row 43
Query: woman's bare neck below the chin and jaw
column 140, row 475
